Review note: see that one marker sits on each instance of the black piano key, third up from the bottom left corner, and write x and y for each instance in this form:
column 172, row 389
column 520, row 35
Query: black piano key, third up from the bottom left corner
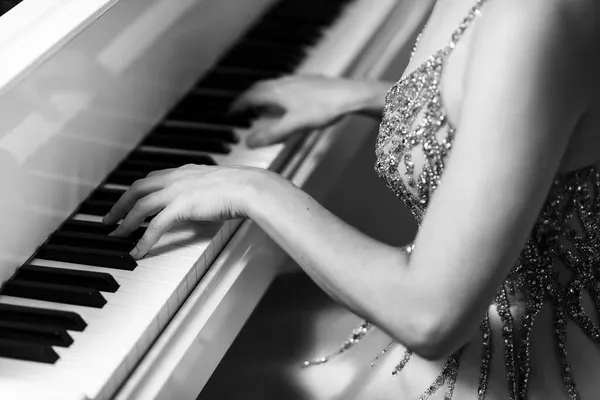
column 41, row 316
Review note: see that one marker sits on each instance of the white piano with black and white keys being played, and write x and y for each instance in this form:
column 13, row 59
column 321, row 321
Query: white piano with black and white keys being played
column 93, row 95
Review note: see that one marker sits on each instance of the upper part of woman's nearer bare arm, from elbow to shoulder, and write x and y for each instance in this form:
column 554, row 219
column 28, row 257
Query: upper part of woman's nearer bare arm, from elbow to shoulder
column 520, row 105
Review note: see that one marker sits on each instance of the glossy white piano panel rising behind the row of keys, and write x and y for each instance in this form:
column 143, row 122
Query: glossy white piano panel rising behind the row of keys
column 80, row 84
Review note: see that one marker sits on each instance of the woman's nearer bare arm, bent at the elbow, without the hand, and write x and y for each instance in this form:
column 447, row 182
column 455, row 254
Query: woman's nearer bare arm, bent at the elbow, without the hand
column 521, row 104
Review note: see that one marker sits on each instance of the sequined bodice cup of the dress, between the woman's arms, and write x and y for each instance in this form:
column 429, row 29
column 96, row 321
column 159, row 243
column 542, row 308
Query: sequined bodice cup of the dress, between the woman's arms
column 415, row 132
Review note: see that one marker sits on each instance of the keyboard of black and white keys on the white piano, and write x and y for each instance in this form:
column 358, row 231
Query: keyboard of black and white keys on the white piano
column 82, row 312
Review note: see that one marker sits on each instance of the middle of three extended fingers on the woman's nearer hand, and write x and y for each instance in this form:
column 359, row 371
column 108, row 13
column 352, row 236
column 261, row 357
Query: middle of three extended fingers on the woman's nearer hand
column 143, row 208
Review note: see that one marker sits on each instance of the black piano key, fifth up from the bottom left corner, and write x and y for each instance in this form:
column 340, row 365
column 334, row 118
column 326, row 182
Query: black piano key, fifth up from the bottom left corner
column 86, row 279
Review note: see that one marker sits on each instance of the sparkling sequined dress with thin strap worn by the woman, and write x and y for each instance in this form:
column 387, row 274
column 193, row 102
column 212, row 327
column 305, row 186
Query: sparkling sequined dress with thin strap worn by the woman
column 414, row 138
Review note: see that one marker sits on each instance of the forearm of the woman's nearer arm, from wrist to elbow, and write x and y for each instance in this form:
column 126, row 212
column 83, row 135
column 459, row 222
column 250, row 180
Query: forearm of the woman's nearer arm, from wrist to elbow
column 361, row 273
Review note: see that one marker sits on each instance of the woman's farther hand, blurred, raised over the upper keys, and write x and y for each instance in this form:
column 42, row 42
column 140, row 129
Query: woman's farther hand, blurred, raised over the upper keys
column 298, row 103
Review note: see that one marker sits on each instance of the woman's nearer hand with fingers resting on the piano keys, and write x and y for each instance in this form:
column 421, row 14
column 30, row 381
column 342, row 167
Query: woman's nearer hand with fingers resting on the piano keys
column 190, row 192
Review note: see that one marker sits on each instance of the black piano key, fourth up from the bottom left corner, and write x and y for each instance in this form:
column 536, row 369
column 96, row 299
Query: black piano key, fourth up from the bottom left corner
column 53, row 293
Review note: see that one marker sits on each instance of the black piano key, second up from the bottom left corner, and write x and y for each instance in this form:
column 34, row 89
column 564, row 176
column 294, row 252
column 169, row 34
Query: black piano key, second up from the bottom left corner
column 49, row 335
